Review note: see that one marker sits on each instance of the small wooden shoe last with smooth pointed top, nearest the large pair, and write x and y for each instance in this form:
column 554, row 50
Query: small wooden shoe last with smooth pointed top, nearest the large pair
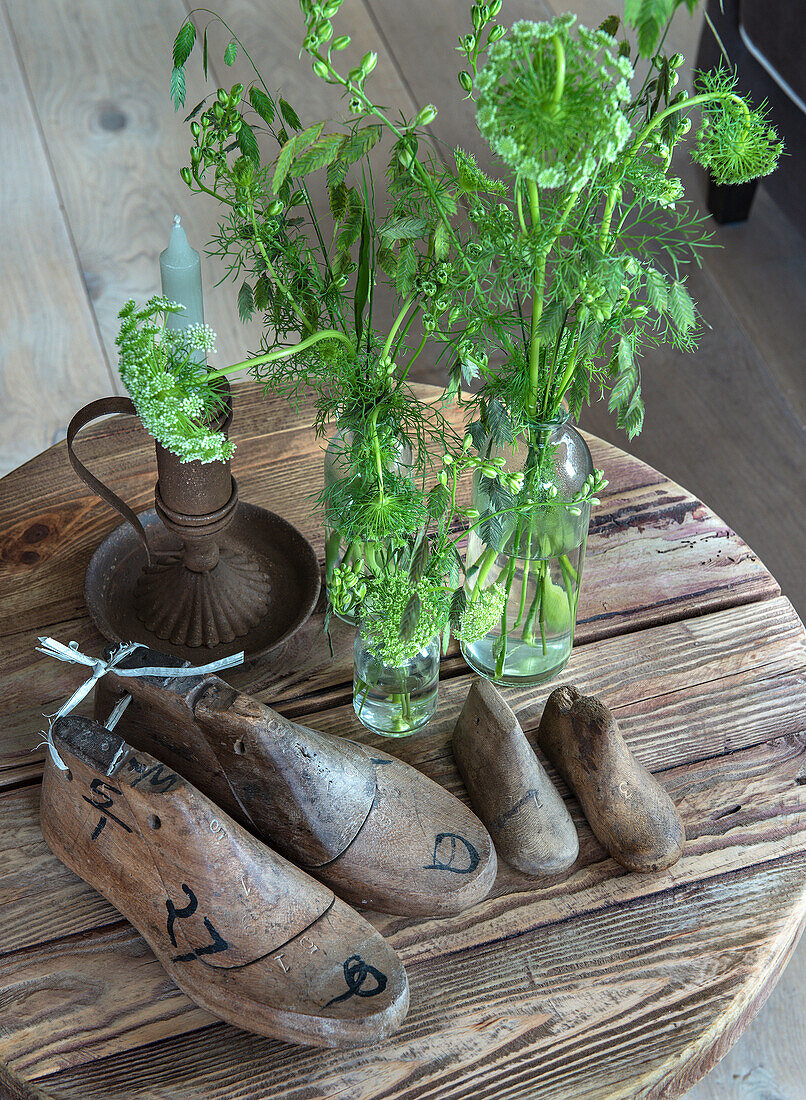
column 509, row 787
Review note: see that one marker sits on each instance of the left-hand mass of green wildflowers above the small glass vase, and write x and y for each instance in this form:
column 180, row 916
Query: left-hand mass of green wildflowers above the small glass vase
column 389, row 551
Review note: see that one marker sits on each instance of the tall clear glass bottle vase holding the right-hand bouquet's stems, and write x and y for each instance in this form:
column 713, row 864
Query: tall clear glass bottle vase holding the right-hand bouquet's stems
column 535, row 551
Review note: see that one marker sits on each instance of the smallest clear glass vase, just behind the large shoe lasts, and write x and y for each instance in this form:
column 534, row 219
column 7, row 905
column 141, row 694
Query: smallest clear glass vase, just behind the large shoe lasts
column 395, row 700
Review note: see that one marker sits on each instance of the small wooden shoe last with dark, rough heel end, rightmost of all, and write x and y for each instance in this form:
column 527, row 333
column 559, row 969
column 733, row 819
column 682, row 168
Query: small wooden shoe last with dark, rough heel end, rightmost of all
column 628, row 810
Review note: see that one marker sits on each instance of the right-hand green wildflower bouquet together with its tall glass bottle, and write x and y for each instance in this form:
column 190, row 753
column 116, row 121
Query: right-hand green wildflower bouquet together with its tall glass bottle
column 581, row 254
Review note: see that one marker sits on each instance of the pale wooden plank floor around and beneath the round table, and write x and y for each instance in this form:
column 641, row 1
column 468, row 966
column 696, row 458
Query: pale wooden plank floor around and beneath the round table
column 90, row 188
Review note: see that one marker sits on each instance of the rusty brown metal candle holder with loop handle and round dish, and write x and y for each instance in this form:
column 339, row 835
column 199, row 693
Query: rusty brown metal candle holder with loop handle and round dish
column 201, row 570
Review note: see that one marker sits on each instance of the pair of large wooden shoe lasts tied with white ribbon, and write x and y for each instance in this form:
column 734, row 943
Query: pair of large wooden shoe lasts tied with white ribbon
column 167, row 815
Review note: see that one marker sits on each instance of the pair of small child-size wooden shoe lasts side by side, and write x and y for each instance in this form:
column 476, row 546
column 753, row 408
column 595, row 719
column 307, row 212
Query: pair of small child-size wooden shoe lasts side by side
column 627, row 809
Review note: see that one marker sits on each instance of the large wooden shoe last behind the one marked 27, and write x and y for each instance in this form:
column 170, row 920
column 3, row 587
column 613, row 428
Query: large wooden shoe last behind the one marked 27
column 373, row 829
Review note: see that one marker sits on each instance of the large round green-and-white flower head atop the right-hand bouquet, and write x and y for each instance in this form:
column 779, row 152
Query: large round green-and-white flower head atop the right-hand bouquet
column 551, row 102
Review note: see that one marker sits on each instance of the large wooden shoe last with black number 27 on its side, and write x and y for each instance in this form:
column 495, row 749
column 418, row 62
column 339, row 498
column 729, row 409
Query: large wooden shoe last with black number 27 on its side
column 245, row 933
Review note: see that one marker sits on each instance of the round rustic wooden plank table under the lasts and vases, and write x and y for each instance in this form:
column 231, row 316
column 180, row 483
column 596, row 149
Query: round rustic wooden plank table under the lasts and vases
column 599, row 984
